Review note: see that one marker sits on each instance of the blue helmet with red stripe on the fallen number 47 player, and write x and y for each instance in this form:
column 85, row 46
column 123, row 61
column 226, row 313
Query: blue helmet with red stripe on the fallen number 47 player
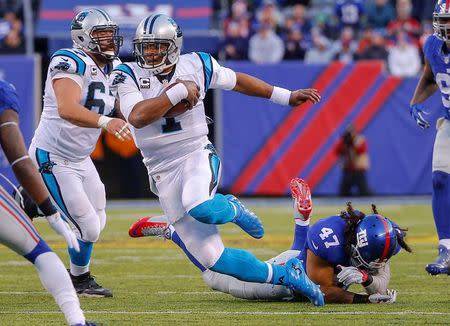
column 376, row 242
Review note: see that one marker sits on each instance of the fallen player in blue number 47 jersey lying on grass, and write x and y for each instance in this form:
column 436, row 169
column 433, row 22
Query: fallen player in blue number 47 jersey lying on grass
column 337, row 251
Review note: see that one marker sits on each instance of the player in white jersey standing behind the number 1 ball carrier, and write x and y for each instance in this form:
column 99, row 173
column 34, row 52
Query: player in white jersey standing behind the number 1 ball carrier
column 77, row 105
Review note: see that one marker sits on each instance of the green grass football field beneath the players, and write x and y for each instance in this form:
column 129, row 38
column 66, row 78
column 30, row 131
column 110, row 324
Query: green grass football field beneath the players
column 153, row 282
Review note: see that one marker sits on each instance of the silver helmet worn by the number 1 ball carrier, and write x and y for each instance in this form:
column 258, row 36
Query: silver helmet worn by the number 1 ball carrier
column 161, row 34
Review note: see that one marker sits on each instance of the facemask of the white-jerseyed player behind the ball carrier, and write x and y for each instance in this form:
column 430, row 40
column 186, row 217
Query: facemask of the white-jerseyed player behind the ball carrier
column 105, row 41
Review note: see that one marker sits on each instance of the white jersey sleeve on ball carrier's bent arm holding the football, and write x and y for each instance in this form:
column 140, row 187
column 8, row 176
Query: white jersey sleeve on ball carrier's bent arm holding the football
column 125, row 89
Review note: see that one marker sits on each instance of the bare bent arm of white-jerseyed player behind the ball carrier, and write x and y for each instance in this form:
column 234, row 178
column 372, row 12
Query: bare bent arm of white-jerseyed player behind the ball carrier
column 68, row 95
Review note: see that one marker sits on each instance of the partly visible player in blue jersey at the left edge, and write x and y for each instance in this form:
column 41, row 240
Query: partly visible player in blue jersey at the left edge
column 16, row 230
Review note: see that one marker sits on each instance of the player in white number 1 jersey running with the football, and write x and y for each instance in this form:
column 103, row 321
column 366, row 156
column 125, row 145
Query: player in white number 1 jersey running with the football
column 183, row 166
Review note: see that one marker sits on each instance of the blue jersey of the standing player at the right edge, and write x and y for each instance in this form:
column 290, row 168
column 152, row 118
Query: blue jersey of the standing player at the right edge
column 439, row 61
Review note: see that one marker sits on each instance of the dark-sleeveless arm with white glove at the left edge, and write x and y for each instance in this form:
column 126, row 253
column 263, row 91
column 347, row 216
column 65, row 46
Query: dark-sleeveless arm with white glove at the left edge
column 28, row 176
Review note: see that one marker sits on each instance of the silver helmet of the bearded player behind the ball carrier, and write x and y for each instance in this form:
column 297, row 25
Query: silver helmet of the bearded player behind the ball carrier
column 82, row 29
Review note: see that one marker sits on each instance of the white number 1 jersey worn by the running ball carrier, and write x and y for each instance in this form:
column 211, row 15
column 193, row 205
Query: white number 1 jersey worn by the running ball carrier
column 166, row 139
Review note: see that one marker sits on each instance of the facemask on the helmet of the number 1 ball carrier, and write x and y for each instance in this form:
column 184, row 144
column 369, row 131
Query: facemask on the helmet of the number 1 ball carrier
column 155, row 55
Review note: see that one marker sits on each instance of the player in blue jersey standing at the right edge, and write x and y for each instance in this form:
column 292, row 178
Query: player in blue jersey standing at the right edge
column 436, row 75
